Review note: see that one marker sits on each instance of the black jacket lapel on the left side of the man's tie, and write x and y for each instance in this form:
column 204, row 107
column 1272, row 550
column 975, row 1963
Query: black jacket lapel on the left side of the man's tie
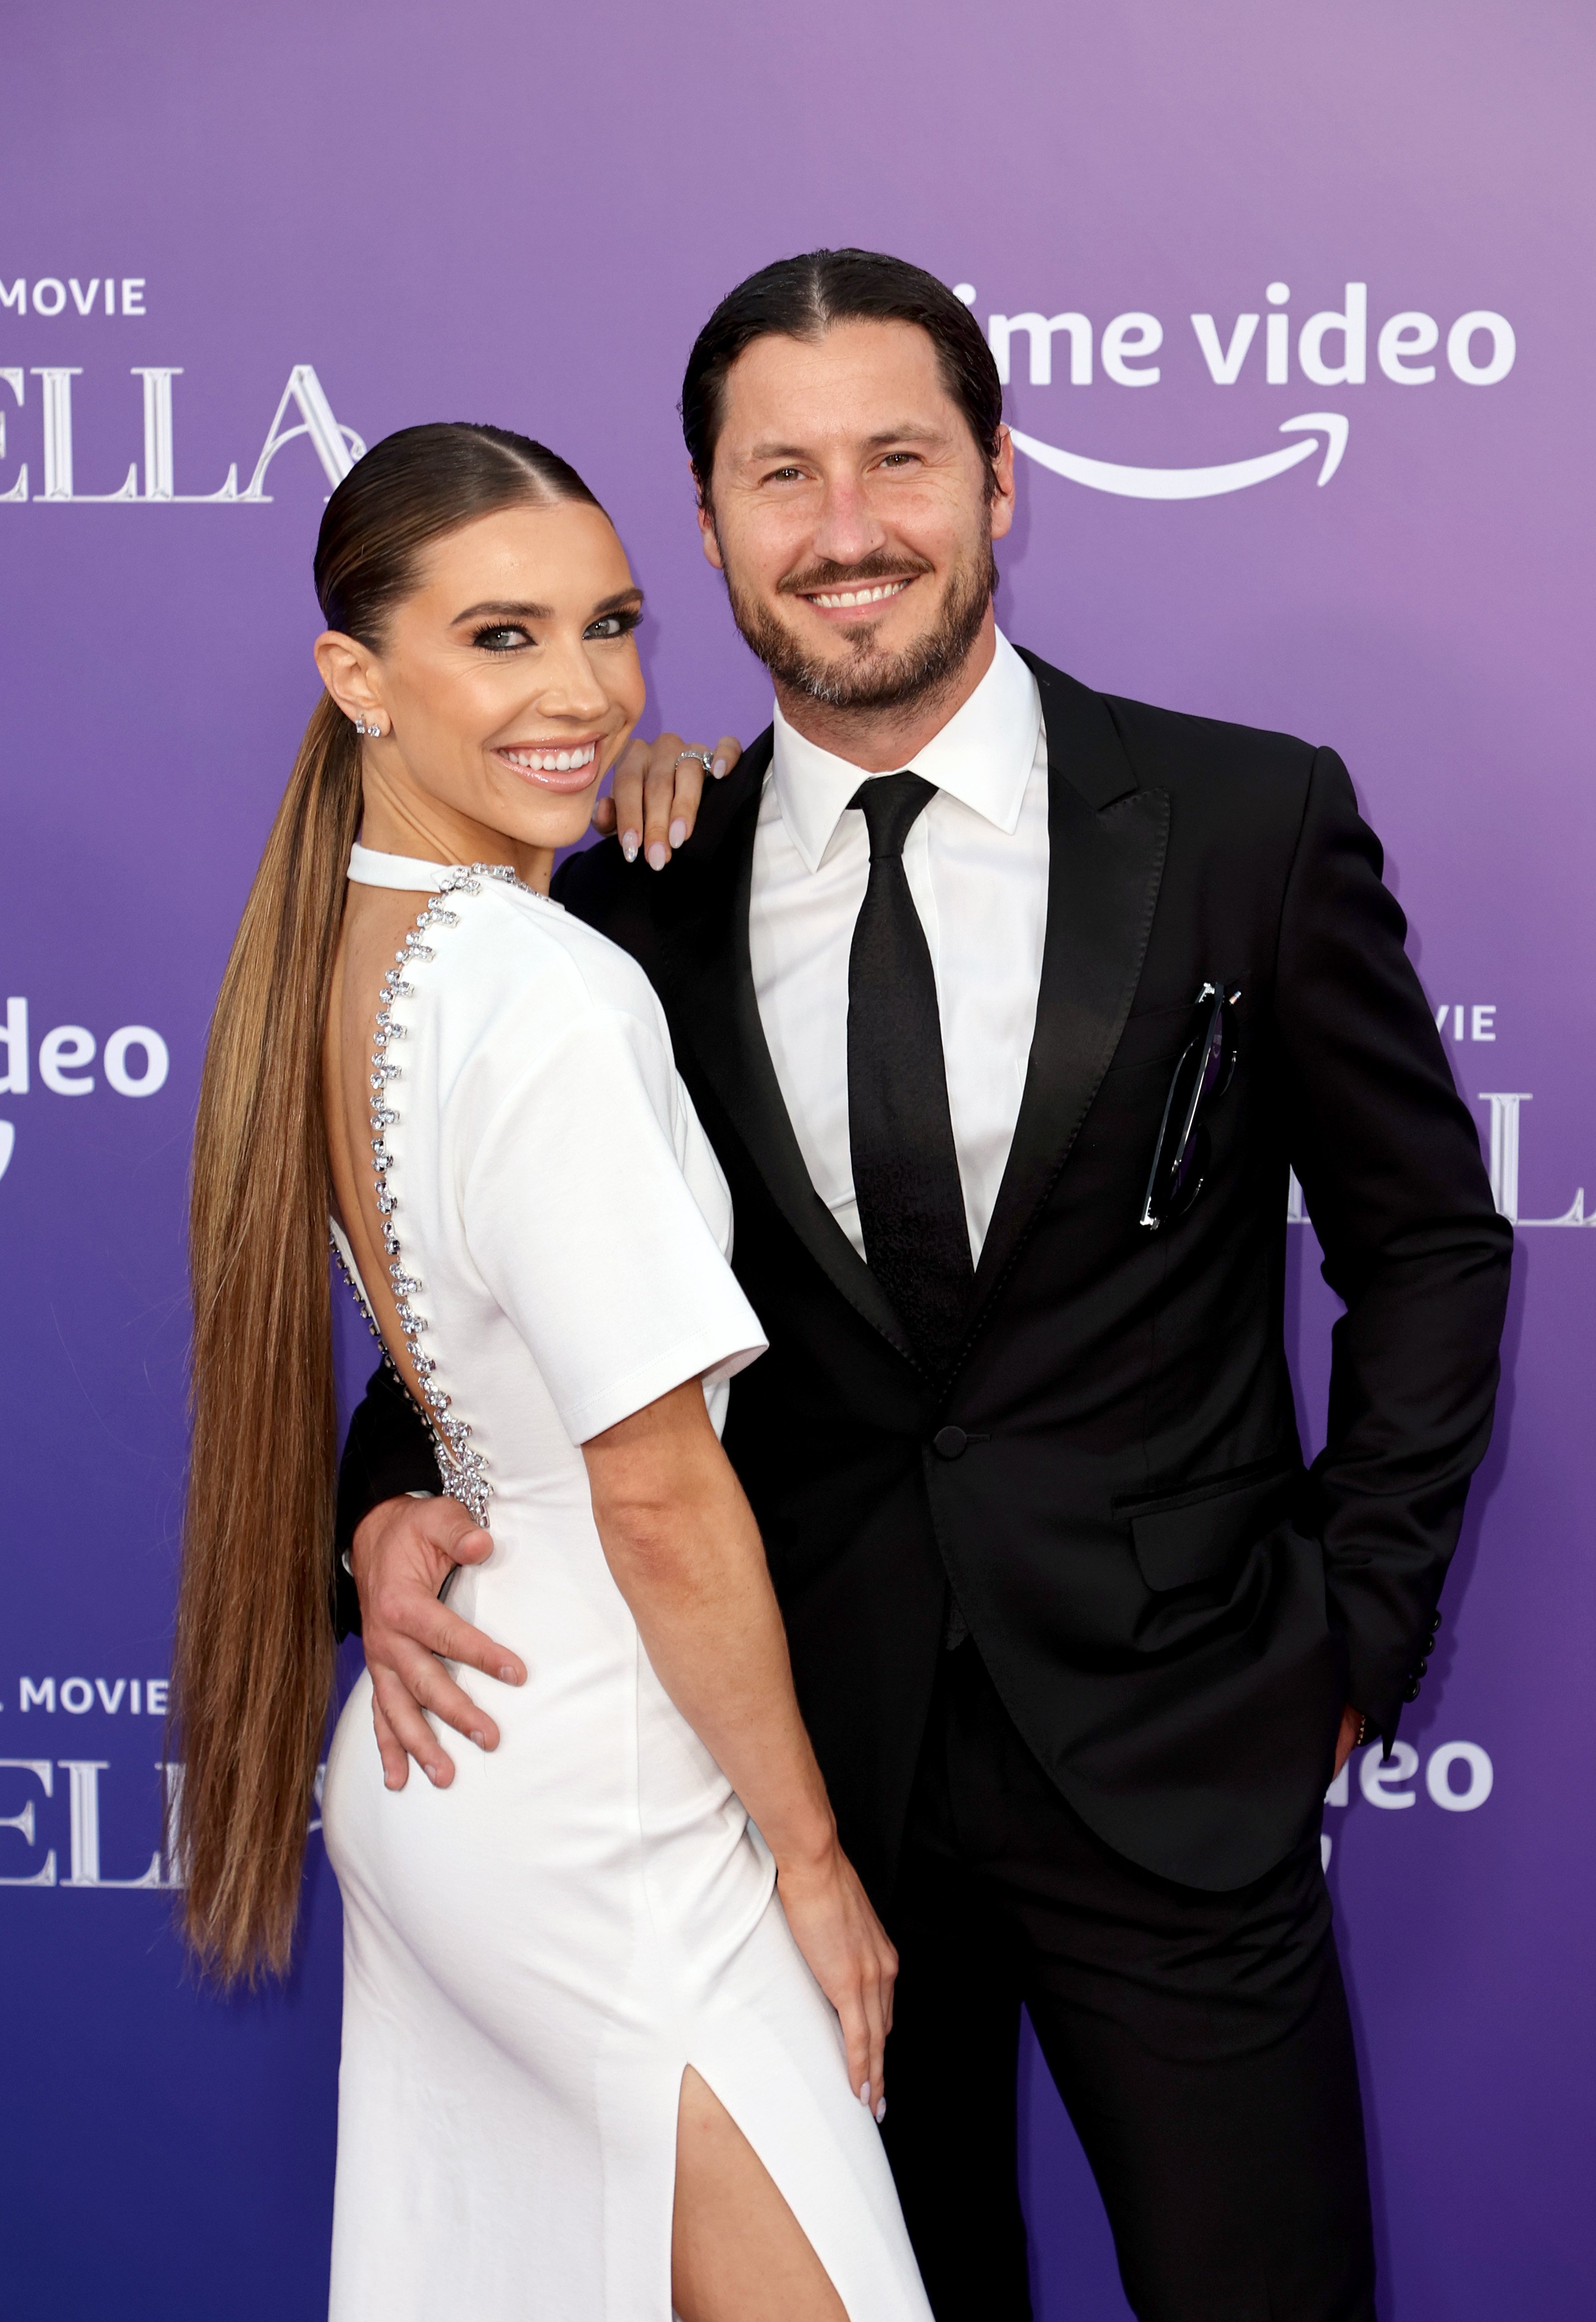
column 717, row 1014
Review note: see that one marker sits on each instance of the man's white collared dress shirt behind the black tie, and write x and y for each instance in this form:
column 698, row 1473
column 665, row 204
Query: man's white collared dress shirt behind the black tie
column 977, row 865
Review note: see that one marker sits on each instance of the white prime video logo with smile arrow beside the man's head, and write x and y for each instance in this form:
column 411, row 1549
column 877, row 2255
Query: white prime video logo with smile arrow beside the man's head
column 1330, row 349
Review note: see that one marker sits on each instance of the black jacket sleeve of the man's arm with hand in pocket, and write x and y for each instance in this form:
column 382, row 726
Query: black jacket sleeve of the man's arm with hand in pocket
column 1390, row 1167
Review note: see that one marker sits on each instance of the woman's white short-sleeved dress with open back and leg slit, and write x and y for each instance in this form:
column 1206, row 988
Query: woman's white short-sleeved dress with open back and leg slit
column 535, row 1954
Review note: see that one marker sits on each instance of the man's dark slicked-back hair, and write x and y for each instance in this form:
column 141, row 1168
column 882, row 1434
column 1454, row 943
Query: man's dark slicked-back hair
column 800, row 298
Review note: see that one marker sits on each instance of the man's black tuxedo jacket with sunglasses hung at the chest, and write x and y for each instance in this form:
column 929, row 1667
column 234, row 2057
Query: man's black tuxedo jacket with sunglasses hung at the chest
column 1112, row 1483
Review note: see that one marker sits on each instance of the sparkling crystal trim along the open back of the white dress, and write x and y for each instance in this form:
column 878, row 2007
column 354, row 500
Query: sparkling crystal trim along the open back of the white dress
column 461, row 1464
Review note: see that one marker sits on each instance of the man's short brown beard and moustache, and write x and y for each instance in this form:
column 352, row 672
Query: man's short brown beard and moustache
column 865, row 679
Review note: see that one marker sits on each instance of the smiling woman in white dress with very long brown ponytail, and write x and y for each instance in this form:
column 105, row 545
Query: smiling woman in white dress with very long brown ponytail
column 605, row 2047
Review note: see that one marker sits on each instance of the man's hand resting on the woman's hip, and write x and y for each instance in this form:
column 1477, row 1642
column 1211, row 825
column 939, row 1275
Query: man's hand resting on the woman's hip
column 401, row 1557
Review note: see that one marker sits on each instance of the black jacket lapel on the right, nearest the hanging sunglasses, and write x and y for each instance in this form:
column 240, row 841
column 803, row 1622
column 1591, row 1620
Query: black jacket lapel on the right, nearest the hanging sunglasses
column 1107, row 842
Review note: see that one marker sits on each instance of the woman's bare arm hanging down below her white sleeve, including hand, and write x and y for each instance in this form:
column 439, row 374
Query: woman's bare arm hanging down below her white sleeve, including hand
column 686, row 1557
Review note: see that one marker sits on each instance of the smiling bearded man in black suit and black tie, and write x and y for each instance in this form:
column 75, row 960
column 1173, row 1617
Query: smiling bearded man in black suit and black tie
column 1007, row 1009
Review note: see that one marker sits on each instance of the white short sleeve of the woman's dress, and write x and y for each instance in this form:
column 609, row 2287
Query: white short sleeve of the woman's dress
column 591, row 1239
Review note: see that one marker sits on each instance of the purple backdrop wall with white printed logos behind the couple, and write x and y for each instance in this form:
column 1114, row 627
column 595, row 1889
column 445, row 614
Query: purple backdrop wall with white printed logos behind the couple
column 522, row 215
